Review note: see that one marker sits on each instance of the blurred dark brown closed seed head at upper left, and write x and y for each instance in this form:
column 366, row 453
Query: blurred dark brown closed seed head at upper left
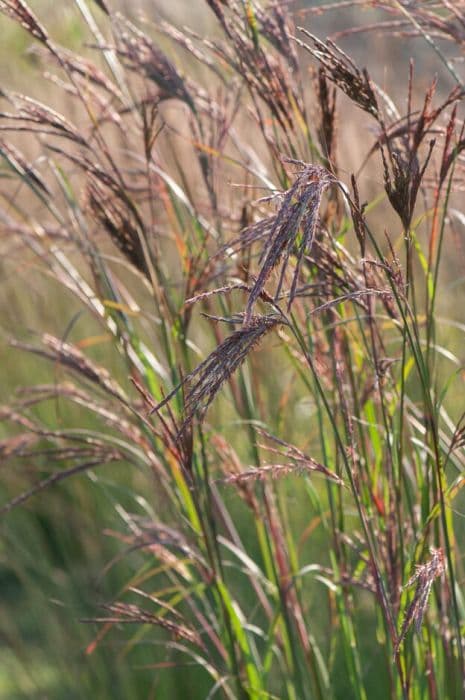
column 115, row 217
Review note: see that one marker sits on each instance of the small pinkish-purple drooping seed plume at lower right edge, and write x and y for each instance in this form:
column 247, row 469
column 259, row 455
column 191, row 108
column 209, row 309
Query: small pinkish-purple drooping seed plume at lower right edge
column 424, row 577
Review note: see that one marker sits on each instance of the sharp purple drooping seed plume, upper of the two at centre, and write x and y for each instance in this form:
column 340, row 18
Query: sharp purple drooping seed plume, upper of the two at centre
column 298, row 213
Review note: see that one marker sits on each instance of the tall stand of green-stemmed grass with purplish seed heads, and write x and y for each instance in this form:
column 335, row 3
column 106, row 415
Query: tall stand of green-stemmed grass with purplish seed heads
column 280, row 381
